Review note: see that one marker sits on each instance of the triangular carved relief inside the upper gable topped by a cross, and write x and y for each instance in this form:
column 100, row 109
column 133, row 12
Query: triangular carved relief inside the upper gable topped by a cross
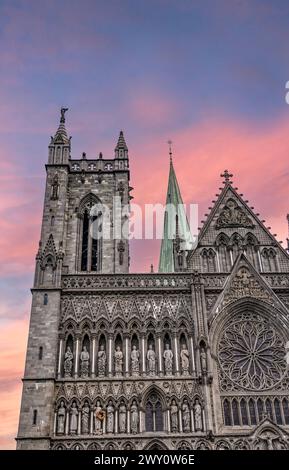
column 233, row 216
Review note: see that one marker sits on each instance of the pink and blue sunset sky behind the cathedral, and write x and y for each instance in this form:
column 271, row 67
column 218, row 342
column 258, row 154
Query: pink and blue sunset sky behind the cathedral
column 208, row 74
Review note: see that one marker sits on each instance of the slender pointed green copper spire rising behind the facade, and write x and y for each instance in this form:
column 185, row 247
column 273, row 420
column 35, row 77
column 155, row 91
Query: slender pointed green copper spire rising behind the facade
column 175, row 207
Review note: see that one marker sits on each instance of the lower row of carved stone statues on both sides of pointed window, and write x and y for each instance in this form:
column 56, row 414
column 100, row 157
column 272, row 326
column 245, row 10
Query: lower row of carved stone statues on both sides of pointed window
column 109, row 419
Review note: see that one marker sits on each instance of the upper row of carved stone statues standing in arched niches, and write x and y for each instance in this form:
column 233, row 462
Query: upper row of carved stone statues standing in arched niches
column 135, row 359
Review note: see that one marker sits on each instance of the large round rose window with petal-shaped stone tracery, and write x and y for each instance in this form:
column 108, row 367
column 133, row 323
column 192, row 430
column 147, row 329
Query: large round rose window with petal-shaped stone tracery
column 251, row 353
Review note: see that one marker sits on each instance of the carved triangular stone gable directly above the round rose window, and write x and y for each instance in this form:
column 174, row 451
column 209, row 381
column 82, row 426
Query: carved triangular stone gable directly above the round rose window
column 245, row 281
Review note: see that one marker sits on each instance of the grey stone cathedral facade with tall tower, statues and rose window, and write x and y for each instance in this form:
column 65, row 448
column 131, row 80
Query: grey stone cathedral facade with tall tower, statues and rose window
column 193, row 357
